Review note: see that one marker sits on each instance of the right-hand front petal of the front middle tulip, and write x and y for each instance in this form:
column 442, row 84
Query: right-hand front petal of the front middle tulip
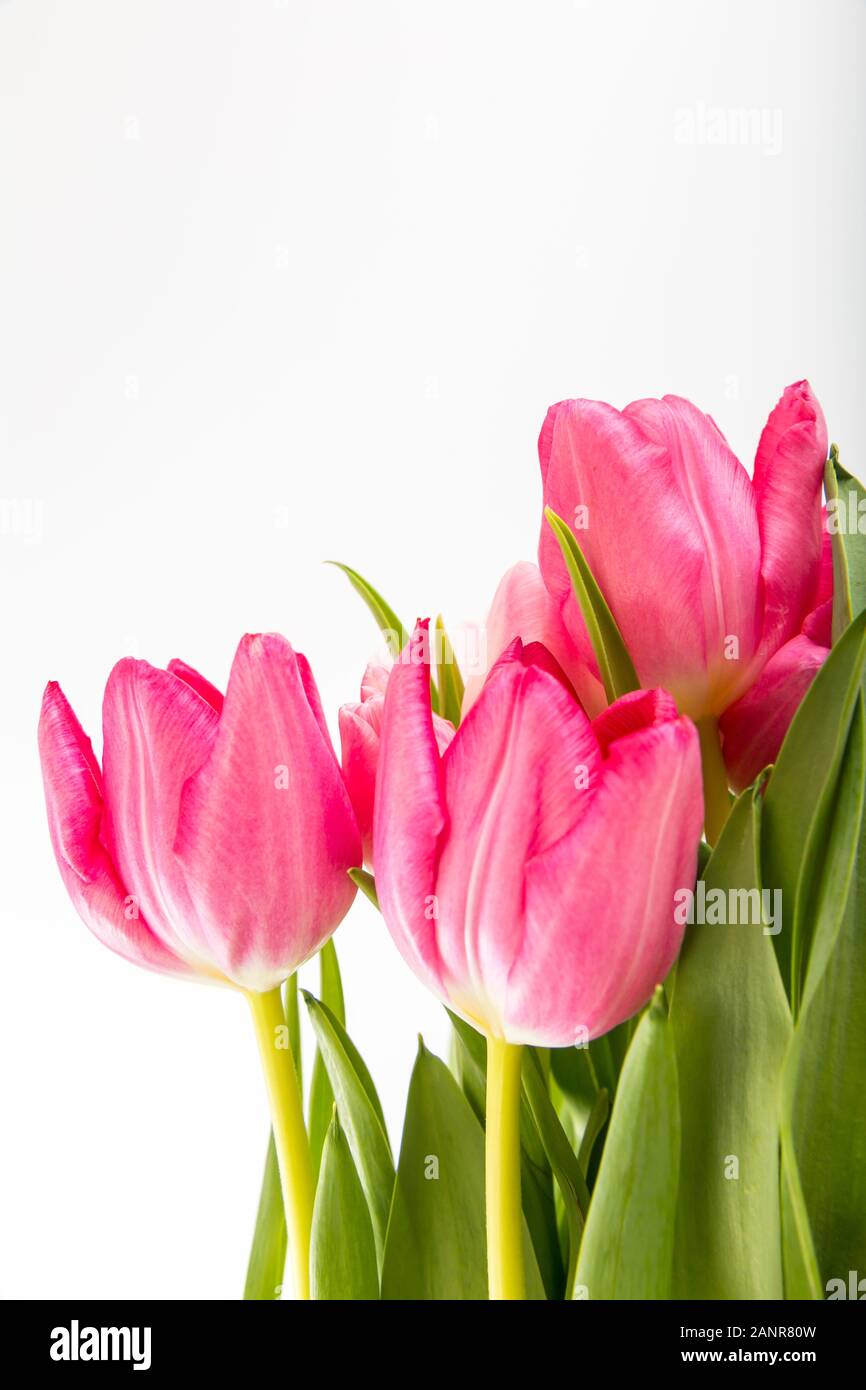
column 618, row 874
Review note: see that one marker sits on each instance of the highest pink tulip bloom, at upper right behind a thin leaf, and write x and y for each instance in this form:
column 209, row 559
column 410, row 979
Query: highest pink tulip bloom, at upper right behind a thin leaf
column 721, row 584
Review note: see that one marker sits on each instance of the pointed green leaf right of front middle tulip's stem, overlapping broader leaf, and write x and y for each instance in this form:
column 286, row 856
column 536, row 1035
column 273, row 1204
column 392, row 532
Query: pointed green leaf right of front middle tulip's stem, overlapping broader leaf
column 628, row 1246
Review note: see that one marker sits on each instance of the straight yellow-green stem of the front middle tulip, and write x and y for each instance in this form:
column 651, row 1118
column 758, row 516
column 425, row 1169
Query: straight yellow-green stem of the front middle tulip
column 503, row 1147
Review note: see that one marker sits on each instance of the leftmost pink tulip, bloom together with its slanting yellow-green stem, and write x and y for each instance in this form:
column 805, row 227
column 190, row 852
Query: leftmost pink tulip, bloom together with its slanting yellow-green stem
column 215, row 843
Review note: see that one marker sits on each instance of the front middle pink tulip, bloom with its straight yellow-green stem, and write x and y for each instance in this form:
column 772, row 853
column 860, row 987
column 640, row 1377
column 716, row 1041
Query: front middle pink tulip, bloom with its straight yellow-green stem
column 529, row 874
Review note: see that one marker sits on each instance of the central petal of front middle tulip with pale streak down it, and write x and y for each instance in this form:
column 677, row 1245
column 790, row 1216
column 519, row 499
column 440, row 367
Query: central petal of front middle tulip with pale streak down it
column 521, row 774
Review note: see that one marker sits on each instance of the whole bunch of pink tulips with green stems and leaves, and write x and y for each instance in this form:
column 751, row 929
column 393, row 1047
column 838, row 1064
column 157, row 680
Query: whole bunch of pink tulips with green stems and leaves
column 629, row 858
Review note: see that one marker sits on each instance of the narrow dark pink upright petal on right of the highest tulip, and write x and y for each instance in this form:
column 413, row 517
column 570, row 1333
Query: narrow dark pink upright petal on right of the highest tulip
column 787, row 483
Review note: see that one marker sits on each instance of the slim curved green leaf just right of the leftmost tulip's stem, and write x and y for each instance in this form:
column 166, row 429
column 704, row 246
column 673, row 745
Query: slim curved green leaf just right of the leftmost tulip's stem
column 361, row 1115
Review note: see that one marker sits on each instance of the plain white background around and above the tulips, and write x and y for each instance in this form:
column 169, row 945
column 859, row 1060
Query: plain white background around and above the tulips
column 293, row 281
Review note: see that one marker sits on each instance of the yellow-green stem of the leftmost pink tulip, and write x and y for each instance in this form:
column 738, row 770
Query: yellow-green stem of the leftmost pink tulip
column 290, row 1131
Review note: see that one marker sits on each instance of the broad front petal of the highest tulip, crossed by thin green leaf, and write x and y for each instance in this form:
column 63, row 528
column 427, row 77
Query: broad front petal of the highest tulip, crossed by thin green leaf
column 672, row 540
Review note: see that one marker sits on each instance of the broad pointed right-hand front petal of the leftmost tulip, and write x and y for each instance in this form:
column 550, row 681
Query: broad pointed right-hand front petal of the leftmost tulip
column 266, row 832
